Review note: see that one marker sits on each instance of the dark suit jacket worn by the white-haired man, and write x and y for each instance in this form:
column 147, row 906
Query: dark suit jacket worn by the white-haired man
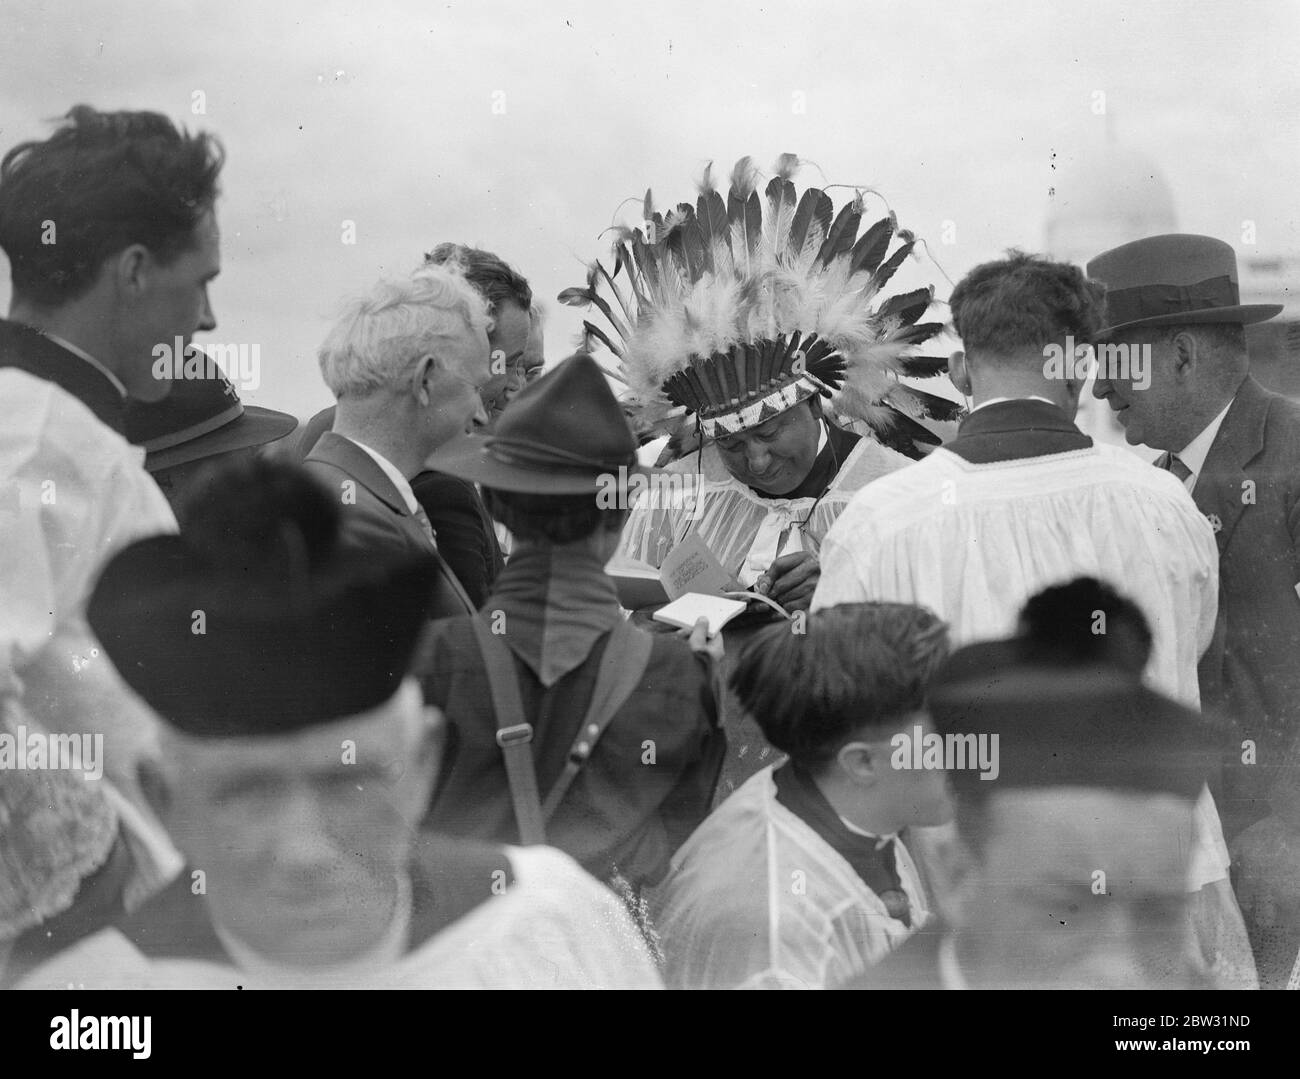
column 375, row 514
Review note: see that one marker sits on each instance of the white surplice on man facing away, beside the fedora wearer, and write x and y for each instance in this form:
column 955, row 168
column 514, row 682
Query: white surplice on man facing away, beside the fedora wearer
column 973, row 543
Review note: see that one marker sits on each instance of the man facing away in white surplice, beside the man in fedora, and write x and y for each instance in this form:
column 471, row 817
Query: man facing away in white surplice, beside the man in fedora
column 1022, row 500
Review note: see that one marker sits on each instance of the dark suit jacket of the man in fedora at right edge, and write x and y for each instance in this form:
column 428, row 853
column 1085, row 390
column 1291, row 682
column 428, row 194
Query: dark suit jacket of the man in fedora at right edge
column 1250, row 487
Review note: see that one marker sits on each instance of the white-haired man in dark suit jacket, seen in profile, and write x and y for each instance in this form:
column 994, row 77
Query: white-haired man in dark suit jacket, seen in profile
column 406, row 363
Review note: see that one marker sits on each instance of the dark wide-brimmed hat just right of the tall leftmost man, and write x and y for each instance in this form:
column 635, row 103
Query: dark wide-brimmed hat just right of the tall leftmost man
column 201, row 418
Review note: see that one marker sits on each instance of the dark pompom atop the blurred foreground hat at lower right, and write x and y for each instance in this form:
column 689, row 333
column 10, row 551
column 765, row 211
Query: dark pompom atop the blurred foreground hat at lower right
column 1085, row 622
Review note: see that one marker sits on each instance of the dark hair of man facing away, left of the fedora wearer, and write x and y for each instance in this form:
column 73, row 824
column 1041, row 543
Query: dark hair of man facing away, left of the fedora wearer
column 1025, row 302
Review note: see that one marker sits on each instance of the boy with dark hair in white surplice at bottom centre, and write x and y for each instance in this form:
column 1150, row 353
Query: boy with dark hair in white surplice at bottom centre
column 803, row 878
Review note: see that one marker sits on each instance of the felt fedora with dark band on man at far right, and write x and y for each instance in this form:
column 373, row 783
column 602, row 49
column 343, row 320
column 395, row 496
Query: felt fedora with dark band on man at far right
column 1173, row 280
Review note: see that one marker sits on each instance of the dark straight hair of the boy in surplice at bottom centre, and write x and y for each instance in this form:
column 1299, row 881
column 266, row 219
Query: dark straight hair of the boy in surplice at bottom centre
column 859, row 665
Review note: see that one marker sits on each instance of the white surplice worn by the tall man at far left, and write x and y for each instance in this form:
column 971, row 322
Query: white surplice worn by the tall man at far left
column 73, row 492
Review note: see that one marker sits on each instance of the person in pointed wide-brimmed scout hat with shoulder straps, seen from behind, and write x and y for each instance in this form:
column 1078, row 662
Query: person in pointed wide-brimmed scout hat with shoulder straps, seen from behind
column 619, row 726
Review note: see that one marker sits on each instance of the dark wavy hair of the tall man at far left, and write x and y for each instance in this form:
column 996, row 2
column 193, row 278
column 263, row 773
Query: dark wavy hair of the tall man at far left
column 105, row 181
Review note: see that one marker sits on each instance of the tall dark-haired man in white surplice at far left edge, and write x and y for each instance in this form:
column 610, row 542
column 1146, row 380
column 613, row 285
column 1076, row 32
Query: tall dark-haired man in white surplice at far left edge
column 112, row 241
